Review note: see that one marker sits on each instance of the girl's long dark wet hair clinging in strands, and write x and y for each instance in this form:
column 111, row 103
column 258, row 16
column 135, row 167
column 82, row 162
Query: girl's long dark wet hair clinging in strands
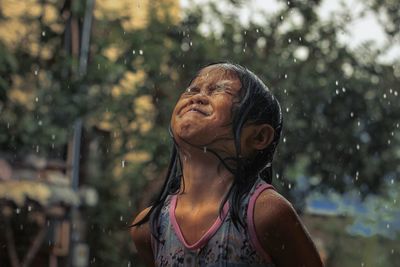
column 256, row 105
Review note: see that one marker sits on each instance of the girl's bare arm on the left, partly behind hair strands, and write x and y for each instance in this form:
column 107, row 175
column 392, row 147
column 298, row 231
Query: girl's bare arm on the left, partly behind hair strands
column 141, row 236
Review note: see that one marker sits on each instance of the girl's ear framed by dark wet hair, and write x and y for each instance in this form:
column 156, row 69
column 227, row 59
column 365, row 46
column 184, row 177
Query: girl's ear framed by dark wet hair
column 257, row 137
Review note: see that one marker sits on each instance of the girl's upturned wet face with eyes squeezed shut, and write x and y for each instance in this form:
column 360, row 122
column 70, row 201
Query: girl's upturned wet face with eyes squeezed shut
column 203, row 113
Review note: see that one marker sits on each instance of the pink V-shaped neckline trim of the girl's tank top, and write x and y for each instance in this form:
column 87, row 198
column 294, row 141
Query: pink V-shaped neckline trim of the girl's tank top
column 206, row 237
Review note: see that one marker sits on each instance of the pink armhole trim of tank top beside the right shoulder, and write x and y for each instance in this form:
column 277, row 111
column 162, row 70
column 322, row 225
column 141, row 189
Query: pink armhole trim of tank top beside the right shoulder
column 250, row 222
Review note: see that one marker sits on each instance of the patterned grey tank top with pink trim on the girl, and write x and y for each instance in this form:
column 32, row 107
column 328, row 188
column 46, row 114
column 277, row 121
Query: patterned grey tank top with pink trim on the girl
column 222, row 245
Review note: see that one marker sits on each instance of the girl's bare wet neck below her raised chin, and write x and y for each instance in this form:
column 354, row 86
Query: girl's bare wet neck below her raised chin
column 205, row 178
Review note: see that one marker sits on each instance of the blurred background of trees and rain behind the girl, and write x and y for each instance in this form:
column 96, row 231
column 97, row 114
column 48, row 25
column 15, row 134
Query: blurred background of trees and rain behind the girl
column 86, row 92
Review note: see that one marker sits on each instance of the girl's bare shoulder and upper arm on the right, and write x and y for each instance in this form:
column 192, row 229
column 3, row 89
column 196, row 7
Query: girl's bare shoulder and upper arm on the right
column 282, row 234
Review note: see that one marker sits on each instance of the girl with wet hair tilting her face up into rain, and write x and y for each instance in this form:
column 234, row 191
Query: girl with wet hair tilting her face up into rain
column 217, row 207
